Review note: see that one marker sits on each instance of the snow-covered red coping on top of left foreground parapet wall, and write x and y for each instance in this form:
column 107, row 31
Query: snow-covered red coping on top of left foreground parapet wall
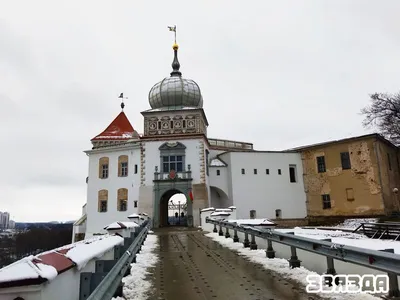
column 47, row 265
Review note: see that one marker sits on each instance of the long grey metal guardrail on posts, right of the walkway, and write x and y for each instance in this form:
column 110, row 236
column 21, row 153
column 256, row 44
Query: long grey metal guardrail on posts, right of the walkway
column 384, row 260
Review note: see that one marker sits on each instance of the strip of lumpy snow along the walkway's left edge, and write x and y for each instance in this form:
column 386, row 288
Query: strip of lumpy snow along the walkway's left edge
column 136, row 286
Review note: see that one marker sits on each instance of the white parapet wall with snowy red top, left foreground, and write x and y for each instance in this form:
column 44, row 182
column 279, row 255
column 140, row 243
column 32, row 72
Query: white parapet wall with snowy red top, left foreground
column 55, row 274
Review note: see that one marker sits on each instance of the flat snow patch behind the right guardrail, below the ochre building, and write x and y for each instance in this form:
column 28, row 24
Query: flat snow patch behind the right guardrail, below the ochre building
column 346, row 238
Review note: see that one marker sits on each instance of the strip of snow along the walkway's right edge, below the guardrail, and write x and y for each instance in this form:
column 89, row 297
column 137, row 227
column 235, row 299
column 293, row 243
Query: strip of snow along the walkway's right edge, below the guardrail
column 281, row 266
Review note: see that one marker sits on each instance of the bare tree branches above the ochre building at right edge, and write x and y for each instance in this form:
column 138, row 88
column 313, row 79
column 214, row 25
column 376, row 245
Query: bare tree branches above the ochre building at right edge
column 384, row 113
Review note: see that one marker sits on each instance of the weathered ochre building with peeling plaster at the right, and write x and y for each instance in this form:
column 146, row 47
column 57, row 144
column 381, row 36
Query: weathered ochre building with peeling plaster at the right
column 358, row 176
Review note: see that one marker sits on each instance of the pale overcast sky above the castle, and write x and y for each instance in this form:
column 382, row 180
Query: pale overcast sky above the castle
column 279, row 74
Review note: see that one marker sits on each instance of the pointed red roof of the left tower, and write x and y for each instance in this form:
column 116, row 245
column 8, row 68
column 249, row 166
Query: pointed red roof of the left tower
column 119, row 129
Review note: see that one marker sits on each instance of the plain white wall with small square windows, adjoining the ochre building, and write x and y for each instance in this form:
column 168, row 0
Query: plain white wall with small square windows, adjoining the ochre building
column 265, row 193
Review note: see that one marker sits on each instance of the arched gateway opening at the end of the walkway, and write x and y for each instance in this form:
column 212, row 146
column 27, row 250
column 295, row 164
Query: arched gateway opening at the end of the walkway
column 173, row 209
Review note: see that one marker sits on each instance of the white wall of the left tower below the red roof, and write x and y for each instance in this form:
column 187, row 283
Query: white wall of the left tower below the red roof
column 96, row 220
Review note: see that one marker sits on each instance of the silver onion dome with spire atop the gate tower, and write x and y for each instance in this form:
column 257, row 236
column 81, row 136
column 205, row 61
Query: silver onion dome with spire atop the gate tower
column 175, row 92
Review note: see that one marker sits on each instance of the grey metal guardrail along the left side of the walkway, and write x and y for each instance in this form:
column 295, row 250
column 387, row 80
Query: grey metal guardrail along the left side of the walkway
column 112, row 281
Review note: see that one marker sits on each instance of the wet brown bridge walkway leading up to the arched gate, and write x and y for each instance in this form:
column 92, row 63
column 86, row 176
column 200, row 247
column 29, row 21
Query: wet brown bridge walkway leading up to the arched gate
column 194, row 267
